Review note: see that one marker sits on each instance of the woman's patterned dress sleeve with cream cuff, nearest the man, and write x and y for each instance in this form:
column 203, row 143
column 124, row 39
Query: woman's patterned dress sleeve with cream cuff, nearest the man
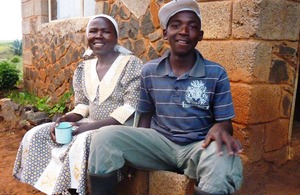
column 131, row 83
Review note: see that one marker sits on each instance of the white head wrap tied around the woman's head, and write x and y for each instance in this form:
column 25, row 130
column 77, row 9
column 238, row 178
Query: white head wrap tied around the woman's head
column 118, row 48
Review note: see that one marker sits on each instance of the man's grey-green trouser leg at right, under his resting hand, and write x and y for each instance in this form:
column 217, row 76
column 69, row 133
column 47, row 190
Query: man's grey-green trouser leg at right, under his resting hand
column 215, row 174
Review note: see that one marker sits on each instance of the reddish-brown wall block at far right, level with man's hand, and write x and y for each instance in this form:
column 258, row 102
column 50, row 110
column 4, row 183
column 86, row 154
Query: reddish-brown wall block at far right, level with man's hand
column 276, row 135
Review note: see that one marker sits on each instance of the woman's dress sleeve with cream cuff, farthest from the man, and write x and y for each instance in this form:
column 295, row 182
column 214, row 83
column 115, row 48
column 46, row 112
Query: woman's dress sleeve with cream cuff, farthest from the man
column 81, row 101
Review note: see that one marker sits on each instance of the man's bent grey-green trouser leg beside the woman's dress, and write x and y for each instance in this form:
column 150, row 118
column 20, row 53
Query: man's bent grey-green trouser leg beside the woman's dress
column 113, row 146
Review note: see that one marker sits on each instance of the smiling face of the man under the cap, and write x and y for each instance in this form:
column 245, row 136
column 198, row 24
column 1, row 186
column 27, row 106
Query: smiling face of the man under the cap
column 183, row 32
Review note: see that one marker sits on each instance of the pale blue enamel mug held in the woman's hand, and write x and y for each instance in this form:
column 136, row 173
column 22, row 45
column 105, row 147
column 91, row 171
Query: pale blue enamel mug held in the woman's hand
column 63, row 133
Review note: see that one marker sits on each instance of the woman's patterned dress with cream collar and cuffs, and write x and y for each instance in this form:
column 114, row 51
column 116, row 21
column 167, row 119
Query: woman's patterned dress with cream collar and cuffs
column 52, row 168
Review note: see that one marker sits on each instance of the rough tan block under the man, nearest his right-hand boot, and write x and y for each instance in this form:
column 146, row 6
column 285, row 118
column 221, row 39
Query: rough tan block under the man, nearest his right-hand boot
column 169, row 183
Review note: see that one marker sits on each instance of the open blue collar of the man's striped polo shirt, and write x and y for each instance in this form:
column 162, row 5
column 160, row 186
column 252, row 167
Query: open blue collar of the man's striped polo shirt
column 164, row 68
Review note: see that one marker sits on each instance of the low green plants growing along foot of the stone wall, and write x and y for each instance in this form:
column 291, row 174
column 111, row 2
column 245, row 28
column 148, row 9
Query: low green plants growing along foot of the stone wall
column 44, row 104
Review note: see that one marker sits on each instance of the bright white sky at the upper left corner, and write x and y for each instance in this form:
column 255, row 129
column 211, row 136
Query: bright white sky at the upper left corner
column 10, row 20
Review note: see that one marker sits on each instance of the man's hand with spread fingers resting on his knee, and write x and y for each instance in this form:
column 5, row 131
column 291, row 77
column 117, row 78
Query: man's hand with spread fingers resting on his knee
column 221, row 133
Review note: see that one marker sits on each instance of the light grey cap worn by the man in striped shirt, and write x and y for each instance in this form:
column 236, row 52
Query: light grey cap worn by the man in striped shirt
column 175, row 6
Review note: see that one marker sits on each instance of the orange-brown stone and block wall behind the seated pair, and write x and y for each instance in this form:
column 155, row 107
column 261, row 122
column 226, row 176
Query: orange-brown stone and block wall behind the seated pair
column 257, row 42
